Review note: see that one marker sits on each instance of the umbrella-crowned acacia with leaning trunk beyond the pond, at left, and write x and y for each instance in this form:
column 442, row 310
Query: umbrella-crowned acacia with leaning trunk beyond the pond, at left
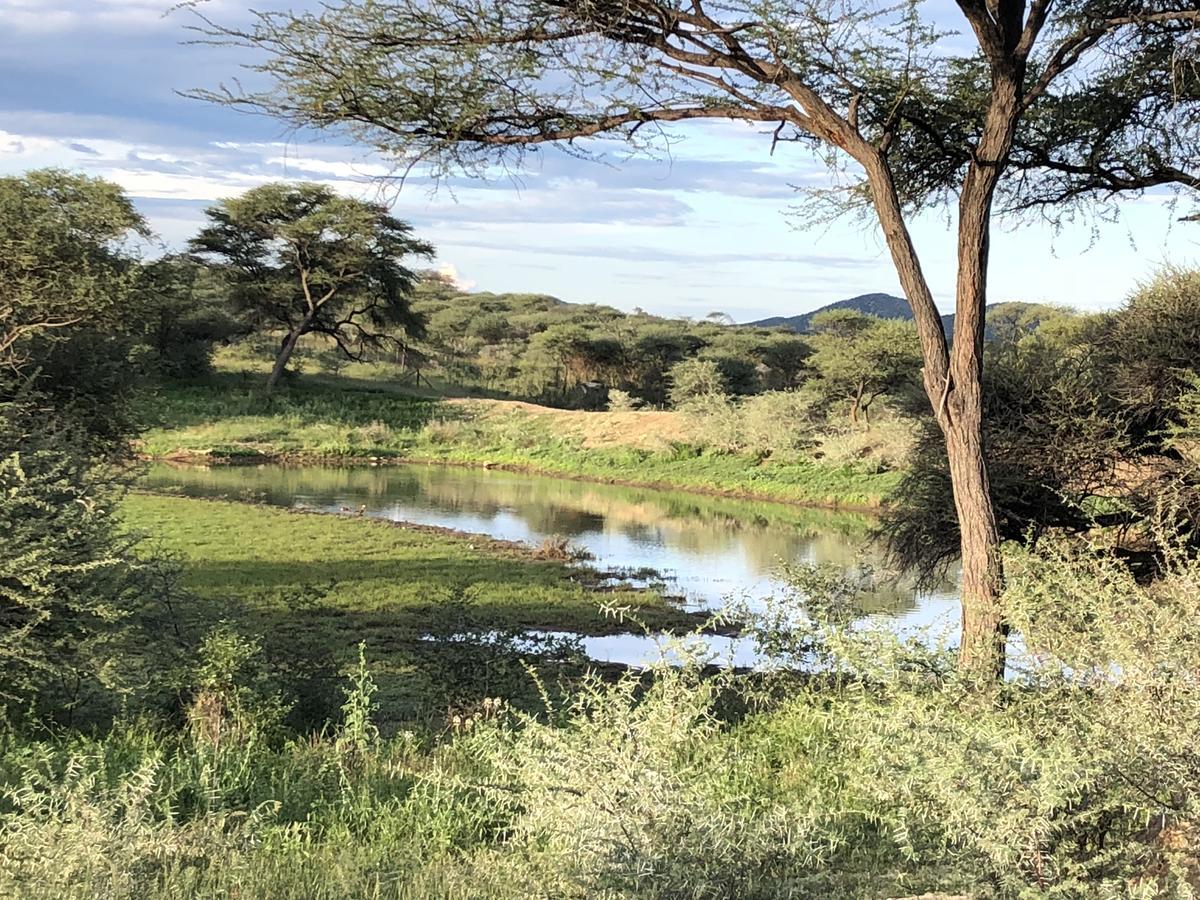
column 305, row 260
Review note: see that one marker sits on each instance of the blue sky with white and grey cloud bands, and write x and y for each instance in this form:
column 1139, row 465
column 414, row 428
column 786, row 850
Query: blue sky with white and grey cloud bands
column 94, row 86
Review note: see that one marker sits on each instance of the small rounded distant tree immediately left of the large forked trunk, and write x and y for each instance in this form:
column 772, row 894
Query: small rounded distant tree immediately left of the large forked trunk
column 860, row 358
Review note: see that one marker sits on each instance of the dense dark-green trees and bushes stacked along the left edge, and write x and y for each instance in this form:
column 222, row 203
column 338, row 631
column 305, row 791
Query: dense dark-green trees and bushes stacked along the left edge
column 74, row 597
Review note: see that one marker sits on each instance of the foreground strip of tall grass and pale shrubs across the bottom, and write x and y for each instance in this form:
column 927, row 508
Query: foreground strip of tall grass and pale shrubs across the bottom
column 1077, row 778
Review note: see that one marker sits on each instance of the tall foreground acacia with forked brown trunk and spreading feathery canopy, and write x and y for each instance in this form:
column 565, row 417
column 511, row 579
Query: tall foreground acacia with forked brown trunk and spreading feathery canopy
column 1047, row 105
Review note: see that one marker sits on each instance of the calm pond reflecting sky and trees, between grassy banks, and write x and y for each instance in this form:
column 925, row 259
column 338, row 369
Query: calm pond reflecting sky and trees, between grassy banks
column 709, row 550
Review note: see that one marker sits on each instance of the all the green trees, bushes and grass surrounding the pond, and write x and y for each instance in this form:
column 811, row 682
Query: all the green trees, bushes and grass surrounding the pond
column 211, row 698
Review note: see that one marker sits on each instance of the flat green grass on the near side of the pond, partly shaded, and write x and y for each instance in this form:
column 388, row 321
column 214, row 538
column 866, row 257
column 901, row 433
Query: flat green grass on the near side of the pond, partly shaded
column 315, row 586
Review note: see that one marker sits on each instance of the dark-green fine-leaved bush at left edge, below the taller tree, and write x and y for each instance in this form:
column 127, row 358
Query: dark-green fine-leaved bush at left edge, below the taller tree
column 70, row 585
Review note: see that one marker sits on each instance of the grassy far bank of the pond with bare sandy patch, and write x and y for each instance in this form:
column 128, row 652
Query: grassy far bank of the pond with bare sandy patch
column 340, row 419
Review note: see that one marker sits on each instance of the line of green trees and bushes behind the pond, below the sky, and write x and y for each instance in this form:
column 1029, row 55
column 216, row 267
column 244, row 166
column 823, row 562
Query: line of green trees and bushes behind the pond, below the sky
column 1085, row 423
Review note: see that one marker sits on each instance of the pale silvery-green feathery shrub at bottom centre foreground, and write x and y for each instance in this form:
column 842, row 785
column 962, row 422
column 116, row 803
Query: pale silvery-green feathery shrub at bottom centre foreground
column 634, row 795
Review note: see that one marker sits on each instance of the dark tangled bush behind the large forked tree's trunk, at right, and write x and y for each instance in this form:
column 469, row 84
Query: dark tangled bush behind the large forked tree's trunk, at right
column 1078, row 427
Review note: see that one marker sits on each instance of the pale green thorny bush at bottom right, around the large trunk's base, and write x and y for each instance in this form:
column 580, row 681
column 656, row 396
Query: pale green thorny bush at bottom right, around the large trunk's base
column 1076, row 778
